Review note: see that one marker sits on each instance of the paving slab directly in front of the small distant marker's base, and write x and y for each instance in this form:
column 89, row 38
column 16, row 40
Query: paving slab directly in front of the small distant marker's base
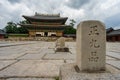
column 59, row 56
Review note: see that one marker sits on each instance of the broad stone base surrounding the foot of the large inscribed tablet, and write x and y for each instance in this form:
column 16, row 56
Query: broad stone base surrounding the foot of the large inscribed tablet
column 68, row 72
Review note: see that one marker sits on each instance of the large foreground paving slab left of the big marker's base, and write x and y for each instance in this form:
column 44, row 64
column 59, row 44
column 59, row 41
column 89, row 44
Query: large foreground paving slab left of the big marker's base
column 33, row 68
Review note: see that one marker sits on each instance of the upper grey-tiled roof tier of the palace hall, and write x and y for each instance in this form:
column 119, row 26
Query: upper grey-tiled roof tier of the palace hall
column 46, row 18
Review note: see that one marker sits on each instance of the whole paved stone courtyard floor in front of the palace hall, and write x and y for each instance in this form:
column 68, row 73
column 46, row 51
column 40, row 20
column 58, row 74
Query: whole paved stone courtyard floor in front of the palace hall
column 36, row 60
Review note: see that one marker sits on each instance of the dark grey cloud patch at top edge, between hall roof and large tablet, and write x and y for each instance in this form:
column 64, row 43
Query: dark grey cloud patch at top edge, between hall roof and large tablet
column 76, row 4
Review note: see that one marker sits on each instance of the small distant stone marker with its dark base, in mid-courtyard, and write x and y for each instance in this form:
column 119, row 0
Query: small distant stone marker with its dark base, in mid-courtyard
column 60, row 45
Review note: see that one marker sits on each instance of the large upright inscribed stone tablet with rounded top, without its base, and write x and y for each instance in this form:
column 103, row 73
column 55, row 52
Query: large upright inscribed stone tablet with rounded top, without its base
column 91, row 46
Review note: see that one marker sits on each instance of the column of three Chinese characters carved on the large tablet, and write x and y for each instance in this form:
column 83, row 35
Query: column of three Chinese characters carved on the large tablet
column 93, row 44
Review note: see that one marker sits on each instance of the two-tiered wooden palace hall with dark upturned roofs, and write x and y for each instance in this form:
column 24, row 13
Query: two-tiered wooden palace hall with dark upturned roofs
column 45, row 25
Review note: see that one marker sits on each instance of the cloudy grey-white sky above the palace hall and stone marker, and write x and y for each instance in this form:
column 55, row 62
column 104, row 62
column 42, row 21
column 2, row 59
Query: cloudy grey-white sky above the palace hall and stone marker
column 106, row 11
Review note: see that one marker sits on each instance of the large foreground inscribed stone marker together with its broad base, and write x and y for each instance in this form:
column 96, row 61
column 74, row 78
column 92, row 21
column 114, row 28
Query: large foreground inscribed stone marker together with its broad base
column 91, row 48
